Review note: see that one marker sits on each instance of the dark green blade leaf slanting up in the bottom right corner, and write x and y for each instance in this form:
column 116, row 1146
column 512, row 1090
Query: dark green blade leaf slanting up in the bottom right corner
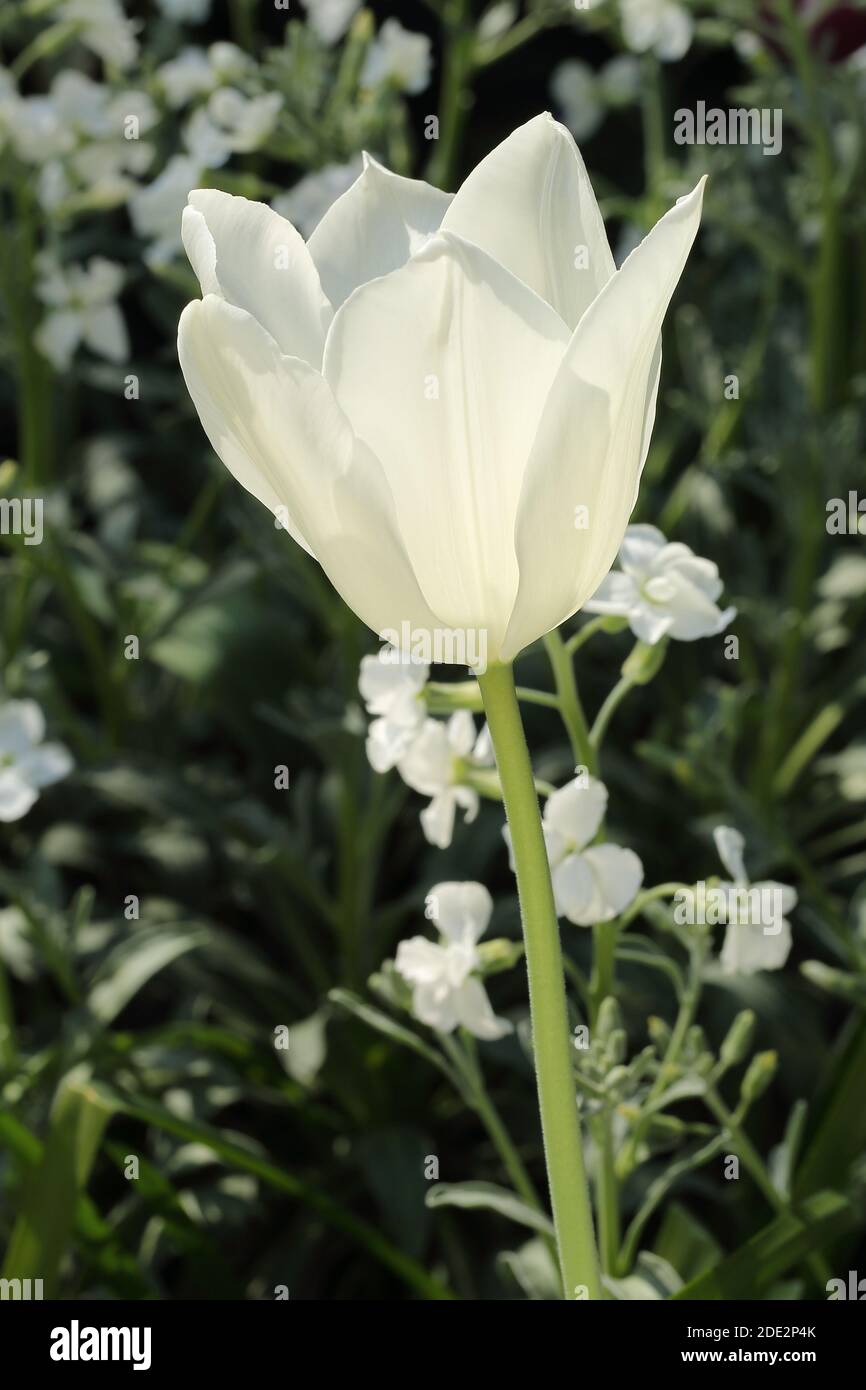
column 786, row 1242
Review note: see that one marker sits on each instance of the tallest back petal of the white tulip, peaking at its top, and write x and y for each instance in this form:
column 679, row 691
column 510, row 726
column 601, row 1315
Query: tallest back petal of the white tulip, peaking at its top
column 532, row 206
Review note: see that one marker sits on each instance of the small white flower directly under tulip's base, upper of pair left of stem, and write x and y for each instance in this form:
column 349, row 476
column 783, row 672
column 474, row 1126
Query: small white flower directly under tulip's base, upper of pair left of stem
column 391, row 687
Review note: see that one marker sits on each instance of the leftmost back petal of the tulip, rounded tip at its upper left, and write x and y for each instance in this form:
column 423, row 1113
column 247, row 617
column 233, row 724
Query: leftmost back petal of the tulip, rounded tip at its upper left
column 252, row 258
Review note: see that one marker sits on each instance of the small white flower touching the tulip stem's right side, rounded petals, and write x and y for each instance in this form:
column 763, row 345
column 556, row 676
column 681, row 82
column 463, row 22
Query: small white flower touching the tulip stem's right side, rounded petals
column 591, row 883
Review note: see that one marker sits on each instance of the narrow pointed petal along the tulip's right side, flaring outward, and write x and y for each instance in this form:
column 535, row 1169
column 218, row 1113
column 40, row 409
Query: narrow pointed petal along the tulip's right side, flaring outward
column 594, row 433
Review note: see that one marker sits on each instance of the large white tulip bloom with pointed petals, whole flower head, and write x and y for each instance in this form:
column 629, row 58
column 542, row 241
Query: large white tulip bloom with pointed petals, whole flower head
column 455, row 333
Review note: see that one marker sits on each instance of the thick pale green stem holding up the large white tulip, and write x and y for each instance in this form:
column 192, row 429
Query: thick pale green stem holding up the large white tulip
column 551, row 1038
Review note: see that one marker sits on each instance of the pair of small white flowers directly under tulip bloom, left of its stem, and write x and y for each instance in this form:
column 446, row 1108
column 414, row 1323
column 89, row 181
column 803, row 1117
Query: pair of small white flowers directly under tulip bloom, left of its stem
column 430, row 755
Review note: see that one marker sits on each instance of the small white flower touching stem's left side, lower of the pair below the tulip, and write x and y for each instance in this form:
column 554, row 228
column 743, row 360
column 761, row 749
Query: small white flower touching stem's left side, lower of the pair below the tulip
column 436, row 765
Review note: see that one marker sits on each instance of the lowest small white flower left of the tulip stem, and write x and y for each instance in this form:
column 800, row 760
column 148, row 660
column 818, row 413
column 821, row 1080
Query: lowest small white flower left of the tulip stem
column 447, row 990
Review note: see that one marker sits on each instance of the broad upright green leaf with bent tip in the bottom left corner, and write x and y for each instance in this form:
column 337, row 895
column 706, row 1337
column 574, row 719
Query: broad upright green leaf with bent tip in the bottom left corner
column 52, row 1191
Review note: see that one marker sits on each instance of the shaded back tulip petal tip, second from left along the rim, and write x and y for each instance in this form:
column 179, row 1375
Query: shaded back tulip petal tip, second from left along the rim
column 375, row 229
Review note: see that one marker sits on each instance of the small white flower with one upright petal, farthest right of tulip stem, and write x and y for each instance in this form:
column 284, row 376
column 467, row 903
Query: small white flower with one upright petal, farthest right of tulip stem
column 751, row 945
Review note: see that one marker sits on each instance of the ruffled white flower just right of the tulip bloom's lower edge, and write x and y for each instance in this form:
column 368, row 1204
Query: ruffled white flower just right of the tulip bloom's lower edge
column 662, row 589
